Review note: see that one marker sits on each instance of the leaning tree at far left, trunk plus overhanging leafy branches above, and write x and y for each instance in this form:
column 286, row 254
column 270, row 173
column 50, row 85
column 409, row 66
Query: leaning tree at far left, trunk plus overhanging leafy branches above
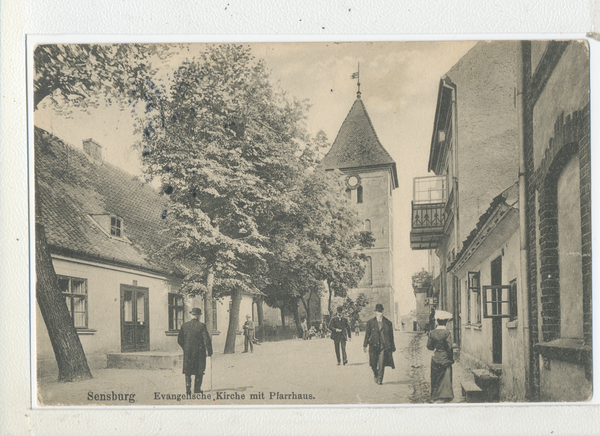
column 75, row 77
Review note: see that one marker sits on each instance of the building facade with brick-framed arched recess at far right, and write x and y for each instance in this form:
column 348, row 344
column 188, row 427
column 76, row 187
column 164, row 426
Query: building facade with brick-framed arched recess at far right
column 556, row 137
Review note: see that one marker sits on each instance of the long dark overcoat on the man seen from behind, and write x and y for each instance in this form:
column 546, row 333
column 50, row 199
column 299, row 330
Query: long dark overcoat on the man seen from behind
column 196, row 343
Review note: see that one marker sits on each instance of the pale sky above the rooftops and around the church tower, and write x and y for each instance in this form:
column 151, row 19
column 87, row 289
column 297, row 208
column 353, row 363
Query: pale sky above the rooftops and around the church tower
column 399, row 86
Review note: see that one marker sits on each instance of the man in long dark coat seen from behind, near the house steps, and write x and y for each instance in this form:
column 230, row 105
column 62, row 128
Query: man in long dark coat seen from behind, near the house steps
column 196, row 343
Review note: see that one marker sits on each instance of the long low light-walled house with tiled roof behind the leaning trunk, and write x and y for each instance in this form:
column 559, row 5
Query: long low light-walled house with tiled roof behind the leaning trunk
column 102, row 225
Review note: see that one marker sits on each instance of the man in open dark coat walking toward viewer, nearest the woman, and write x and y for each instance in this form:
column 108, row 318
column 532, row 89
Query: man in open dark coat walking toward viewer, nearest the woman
column 379, row 336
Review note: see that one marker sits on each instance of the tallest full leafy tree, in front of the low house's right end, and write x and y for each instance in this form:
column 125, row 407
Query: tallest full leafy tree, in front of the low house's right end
column 224, row 144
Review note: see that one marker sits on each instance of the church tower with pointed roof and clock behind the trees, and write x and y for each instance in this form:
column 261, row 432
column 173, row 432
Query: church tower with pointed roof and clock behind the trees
column 370, row 176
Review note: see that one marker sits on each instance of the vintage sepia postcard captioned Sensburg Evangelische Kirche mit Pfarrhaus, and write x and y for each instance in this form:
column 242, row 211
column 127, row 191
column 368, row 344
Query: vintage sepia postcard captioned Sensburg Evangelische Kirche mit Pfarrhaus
column 356, row 223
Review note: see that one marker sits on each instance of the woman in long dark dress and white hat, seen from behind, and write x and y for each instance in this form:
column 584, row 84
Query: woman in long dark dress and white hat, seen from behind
column 440, row 340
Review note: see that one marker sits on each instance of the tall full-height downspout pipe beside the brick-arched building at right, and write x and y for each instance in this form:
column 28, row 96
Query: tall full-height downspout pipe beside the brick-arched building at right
column 524, row 316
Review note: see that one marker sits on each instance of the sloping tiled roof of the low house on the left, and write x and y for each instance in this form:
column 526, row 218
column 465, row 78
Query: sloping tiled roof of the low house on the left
column 72, row 187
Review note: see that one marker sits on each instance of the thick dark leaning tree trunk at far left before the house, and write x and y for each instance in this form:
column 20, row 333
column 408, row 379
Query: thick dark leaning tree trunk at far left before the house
column 70, row 357
